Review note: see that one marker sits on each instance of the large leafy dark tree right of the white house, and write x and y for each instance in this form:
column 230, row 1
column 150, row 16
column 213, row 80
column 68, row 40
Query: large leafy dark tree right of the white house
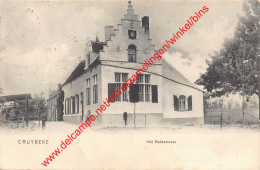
column 236, row 66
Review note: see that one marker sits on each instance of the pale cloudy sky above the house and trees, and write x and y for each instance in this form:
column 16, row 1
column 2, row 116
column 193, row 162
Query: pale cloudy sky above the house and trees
column 42, row 41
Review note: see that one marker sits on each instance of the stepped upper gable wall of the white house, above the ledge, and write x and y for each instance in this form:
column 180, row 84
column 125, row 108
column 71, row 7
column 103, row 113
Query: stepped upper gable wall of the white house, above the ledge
column 121, row 38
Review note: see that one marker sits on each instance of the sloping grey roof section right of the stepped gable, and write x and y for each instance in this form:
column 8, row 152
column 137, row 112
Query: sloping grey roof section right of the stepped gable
column 169, row 72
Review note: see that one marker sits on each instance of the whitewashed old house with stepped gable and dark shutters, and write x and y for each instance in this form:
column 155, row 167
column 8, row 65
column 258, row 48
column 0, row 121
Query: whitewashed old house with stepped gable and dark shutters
column 166, row 96
